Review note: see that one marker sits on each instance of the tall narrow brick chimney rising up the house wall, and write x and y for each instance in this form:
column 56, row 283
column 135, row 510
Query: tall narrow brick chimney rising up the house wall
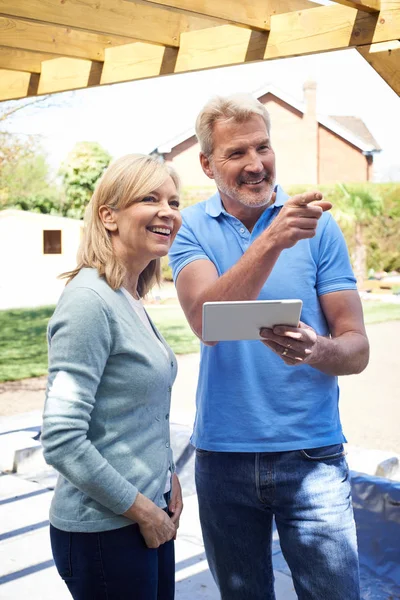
column 310, row 133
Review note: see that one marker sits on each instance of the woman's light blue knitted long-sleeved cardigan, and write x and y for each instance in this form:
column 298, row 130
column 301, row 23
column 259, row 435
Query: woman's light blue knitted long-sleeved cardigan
column 106, row 417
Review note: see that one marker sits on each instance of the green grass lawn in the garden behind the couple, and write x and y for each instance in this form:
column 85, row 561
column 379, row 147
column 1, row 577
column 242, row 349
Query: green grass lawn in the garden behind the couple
column 23, row 347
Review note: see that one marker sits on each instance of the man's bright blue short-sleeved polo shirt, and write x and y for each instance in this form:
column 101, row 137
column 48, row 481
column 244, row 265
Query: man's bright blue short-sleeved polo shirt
column 247, row 399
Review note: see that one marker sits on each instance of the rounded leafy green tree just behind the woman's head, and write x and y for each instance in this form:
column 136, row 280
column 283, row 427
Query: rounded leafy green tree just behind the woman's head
column 80, row 173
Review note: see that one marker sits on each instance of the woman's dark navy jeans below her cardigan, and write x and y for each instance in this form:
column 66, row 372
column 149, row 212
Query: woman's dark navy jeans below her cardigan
column 114, row 565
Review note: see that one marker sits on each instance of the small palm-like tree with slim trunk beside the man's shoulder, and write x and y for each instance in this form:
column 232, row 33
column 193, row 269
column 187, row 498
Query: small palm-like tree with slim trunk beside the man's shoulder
column 357, row 207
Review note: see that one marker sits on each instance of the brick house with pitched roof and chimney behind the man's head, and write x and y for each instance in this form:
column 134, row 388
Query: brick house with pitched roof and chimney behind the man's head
column 309, row 148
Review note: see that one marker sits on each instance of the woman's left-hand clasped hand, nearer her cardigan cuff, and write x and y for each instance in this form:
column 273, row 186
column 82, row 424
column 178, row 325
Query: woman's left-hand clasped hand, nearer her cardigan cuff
column 155, row 525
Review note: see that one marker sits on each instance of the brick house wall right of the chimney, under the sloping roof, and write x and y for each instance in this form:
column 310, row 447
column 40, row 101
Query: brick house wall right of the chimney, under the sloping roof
column 339, row 160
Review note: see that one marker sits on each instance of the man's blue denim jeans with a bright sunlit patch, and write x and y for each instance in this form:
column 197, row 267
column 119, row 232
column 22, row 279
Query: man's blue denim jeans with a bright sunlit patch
column 308, row 492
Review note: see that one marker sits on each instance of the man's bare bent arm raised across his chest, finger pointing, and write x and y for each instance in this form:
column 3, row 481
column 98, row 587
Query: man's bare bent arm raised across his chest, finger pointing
column 198, row 282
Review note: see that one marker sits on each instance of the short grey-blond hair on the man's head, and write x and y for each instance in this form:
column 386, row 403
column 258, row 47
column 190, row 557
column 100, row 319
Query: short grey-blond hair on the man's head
column 236, row 107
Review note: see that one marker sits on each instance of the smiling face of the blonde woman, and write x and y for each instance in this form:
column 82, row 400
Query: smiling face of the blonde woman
column 146, row 229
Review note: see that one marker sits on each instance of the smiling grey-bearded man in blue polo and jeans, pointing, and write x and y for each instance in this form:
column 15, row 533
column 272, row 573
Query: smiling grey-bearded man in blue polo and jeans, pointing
column 267, row 434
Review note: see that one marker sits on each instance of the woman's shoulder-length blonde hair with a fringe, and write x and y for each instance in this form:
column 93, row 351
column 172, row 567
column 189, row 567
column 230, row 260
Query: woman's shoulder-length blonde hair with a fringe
column 126, row 180
